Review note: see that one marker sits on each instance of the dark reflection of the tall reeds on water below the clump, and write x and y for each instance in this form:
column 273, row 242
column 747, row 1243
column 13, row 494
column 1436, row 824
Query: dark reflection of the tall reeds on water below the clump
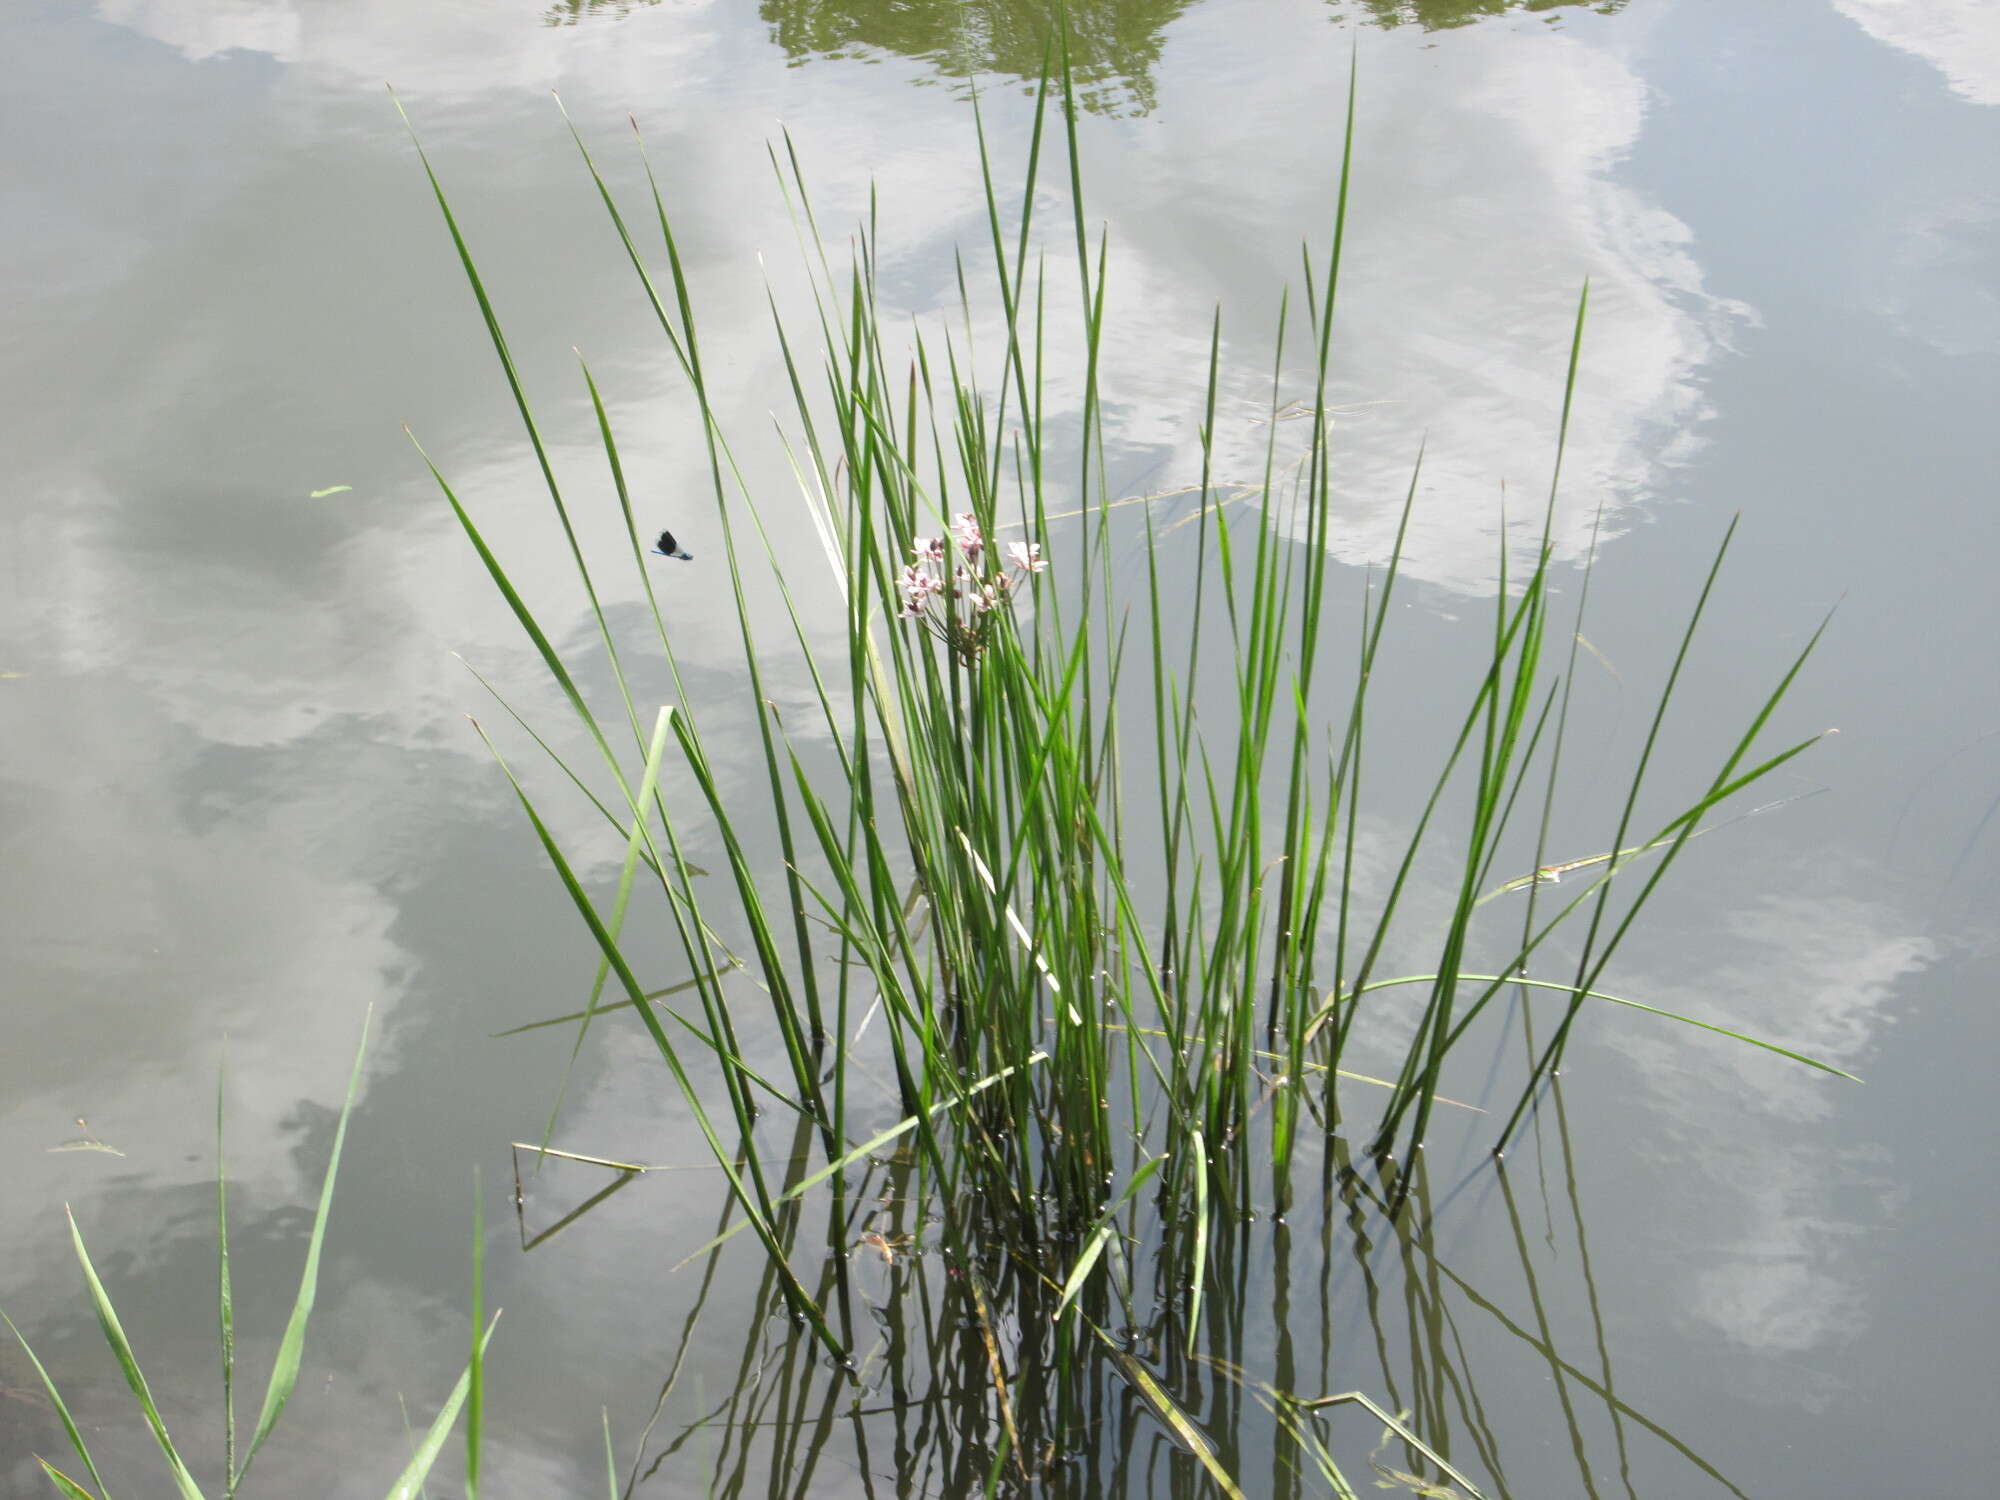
column 1313, row 1361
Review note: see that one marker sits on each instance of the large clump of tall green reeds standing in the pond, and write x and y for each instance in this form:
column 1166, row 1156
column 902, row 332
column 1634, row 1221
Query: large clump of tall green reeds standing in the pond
column 1093, row 945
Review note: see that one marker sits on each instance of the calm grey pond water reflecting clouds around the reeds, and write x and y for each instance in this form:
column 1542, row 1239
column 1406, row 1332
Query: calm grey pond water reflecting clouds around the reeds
column 243, row 803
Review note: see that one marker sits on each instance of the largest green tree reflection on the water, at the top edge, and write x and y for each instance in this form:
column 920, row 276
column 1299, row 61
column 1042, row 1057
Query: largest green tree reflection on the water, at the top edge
column 1113, row 43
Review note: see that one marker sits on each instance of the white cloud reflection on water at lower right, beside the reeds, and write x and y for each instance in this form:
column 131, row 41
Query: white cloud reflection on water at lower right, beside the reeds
column 1823, row 961
